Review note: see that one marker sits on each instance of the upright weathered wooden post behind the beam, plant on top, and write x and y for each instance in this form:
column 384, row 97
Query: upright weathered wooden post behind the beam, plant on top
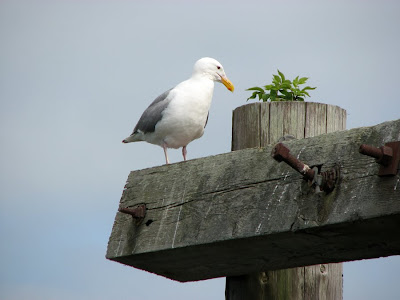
column 260, row 124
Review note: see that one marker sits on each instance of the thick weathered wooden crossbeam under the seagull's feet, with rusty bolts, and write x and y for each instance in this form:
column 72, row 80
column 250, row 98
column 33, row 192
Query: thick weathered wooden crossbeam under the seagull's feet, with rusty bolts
column 243, row 212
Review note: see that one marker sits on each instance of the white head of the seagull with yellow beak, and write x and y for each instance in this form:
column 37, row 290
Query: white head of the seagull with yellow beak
column 214, row 70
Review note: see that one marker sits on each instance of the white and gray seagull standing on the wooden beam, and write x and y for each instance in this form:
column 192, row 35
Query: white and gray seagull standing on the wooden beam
column 179, row 115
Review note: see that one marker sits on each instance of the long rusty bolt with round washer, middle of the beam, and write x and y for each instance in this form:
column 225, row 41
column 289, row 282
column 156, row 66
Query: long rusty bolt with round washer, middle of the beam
column 322, row 181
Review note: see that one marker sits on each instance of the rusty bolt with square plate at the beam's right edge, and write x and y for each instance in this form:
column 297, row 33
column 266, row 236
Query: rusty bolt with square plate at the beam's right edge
column 388, row 156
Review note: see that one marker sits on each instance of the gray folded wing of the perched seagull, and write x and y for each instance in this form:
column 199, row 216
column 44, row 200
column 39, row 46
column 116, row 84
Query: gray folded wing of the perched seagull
column 153, row 114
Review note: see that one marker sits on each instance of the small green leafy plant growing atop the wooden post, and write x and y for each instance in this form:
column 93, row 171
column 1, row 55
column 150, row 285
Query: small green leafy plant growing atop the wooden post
column 282, row 89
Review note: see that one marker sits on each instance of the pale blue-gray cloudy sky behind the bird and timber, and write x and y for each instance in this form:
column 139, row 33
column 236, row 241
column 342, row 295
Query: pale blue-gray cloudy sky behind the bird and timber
column 75, row 77
